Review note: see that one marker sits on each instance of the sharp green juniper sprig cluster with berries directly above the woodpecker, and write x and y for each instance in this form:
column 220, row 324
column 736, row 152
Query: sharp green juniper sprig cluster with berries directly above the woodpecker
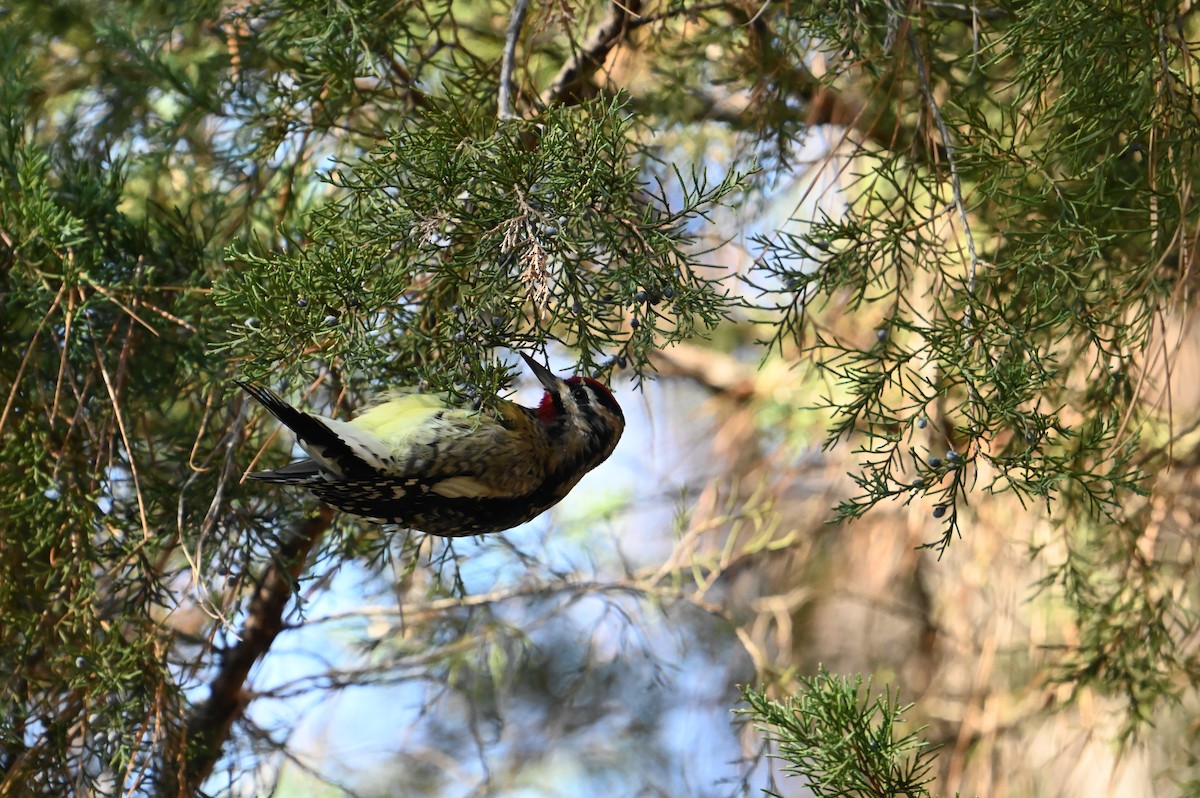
column 463, row 235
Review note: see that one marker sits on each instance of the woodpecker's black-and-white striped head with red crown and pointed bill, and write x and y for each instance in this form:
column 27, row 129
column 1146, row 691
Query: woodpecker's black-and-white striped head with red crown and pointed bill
column 580, row 413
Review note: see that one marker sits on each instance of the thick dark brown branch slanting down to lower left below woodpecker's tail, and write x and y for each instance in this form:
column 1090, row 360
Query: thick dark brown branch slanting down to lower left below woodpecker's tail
column 208, row 728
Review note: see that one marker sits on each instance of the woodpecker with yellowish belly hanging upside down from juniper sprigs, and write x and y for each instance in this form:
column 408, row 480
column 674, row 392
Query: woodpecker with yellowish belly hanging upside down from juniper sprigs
column 418, row 461
